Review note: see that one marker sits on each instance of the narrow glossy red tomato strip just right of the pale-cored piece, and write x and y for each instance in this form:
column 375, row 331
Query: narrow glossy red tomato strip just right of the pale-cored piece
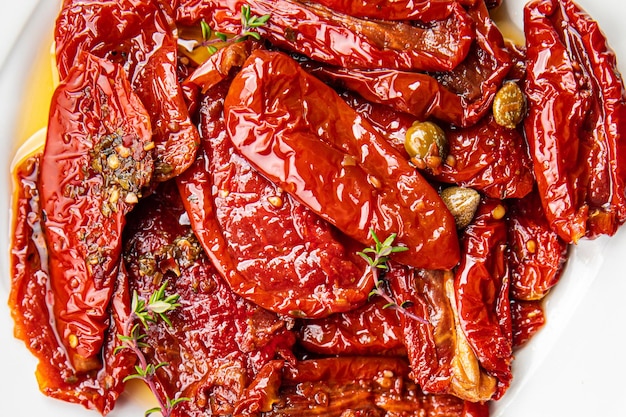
column 481, row 286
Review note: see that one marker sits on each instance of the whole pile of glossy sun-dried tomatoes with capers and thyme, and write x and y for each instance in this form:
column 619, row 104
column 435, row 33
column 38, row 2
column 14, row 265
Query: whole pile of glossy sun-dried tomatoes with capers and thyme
column 309, row 208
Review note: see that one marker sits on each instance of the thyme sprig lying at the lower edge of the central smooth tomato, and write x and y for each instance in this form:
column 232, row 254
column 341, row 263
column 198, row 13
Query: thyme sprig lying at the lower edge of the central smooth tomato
column 377, row 263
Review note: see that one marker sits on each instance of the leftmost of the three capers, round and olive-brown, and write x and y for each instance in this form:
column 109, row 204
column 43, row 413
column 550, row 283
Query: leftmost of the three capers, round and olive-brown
column 426, row 144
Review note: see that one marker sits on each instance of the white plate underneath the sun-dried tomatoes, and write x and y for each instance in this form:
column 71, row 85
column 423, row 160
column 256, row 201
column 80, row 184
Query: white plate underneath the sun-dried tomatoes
column 574, row 367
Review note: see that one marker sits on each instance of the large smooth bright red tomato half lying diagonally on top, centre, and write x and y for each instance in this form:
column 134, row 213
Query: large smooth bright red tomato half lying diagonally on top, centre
column 302, row 136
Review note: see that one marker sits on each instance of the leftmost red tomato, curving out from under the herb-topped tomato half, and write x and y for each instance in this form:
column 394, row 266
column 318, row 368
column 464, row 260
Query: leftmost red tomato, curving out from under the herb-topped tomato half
column 32, row 315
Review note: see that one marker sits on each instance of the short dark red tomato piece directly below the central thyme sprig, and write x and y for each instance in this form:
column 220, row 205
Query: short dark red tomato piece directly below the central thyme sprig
column 369, row 330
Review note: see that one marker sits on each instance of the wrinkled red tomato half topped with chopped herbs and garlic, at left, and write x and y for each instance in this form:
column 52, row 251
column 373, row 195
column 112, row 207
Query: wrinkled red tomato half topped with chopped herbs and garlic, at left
column 94, row 103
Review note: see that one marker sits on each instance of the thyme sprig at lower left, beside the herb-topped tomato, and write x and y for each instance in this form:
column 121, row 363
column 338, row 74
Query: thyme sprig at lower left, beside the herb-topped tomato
column 143, row 313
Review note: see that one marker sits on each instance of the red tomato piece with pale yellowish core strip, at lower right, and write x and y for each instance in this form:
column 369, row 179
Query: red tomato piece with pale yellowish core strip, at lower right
column 441, row 360
